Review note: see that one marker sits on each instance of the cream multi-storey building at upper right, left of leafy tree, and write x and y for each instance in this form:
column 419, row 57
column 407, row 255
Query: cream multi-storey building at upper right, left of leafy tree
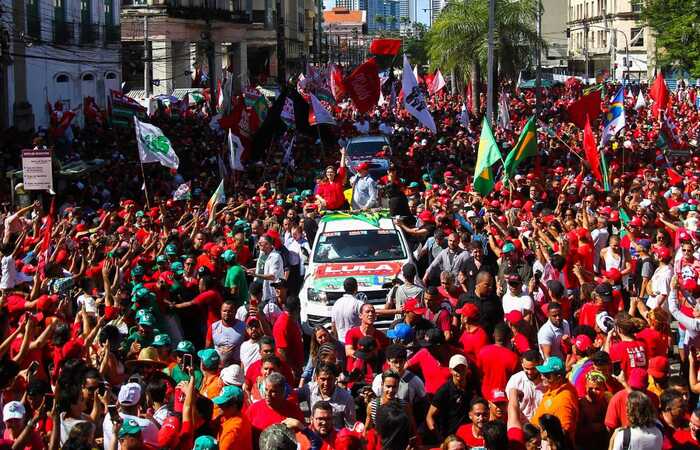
column 608, row 37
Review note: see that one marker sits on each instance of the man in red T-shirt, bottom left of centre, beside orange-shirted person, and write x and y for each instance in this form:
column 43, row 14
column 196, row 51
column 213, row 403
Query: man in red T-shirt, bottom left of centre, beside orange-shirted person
column 274, row 408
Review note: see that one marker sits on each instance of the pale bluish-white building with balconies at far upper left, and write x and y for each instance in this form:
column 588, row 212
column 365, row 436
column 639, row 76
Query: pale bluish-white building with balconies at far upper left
column 56, row 50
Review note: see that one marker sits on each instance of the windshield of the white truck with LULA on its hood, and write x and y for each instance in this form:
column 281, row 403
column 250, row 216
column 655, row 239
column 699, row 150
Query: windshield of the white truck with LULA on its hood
column 365, row 245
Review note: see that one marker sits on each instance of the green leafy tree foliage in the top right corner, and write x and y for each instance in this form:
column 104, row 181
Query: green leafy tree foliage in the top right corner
column 676, row 24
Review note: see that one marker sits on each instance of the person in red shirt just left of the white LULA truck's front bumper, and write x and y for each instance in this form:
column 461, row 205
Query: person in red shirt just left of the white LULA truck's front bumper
column 287, row 334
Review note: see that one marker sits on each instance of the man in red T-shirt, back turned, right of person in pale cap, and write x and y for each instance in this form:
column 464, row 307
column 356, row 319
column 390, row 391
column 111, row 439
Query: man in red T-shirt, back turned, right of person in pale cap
column 497, row 362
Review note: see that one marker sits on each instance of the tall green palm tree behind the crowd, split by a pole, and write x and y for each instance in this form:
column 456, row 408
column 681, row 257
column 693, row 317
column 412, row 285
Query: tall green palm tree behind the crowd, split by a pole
column 458, row 42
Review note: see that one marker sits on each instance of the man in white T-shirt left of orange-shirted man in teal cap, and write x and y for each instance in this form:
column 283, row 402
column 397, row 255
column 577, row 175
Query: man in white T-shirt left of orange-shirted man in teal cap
column 527, row 385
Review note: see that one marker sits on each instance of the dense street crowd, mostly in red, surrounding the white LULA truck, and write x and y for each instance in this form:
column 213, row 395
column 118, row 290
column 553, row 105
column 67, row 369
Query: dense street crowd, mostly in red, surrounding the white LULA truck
column 551, row 313
